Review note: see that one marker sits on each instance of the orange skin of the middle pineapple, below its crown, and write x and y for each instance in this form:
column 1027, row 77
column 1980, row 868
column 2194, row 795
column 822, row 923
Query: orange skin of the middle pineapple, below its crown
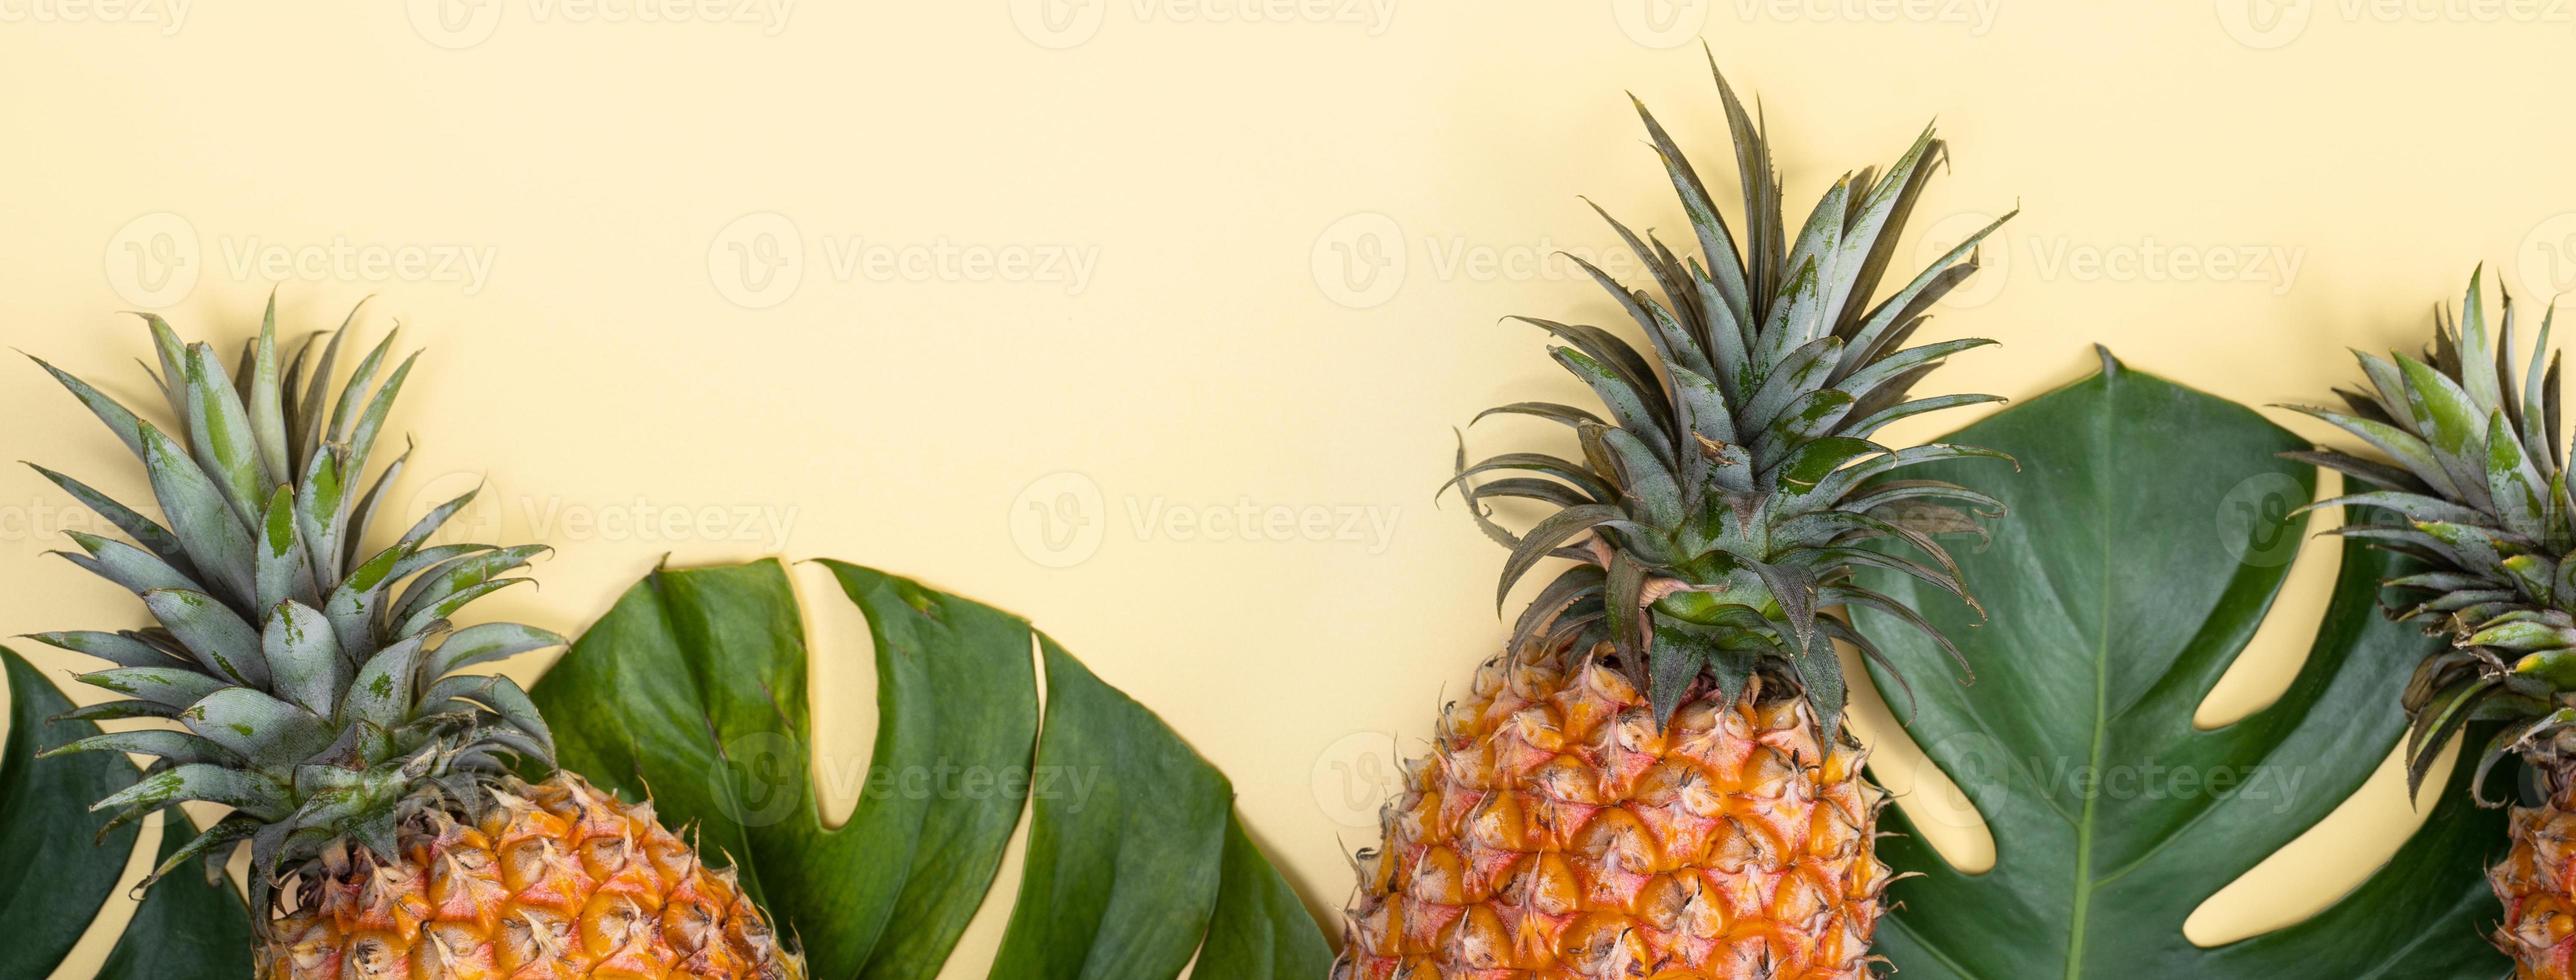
column 1557, row 832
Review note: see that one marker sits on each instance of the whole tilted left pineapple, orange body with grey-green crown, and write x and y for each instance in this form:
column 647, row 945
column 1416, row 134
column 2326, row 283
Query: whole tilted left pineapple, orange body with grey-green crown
column 316, row 690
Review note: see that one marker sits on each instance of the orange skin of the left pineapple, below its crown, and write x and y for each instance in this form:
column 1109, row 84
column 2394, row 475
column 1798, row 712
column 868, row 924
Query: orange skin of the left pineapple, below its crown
column 555, row 881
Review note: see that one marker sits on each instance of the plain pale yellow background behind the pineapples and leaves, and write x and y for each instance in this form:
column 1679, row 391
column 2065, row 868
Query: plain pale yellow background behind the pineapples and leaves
column 1039, row 300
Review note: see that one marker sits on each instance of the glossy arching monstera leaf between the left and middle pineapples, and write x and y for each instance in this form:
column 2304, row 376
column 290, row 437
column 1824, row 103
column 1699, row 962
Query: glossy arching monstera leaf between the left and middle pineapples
column 694, row 690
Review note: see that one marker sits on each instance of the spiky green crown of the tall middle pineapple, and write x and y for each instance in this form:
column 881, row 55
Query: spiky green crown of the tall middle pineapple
column 1719, row 512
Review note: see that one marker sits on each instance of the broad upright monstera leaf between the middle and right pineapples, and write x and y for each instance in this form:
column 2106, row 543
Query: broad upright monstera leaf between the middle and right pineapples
column 2147, row 540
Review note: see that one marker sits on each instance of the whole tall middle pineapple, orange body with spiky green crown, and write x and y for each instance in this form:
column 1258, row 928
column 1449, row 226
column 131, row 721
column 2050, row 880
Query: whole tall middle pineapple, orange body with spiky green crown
column 1653, row 778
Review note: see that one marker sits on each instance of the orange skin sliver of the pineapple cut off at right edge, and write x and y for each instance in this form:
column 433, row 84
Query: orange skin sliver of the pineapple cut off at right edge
column 2539, row 886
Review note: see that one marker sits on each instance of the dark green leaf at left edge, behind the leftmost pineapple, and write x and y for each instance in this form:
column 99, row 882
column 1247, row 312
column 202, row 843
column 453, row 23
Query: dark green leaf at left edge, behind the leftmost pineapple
column 61, row 870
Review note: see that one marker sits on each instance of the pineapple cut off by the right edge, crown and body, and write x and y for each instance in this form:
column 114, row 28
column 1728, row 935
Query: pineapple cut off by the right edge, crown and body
column 2469, row 481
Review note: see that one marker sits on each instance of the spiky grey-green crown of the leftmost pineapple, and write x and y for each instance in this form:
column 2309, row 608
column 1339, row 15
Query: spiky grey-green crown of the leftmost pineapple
column 316, row 685
